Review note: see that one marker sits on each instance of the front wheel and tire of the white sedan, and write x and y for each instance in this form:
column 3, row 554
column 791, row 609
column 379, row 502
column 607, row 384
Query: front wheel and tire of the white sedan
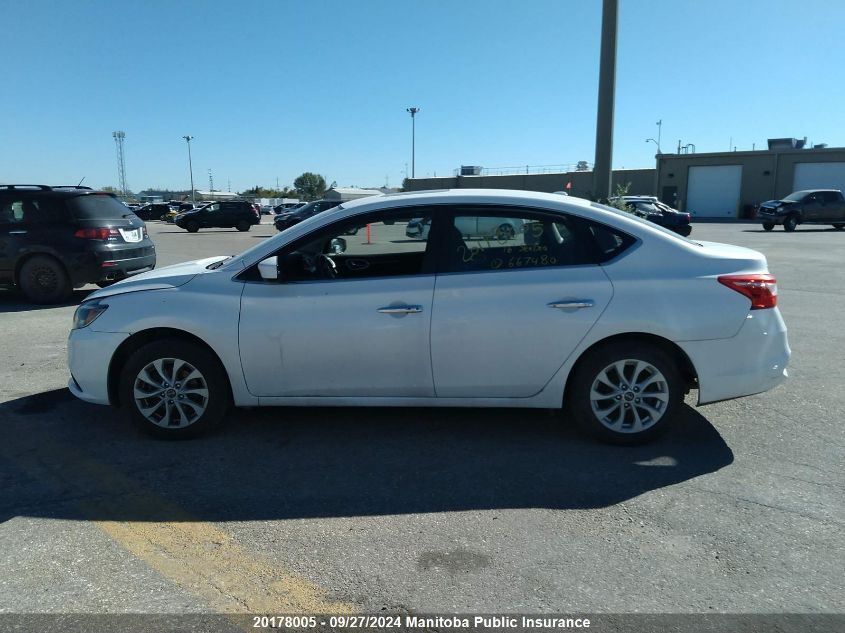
column 172, row 412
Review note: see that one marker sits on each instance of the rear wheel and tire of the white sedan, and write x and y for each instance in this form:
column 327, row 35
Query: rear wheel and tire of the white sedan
column 646, row 369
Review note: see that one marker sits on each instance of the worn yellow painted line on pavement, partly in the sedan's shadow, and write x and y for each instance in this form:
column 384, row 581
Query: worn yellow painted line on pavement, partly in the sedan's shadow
column 204, row 560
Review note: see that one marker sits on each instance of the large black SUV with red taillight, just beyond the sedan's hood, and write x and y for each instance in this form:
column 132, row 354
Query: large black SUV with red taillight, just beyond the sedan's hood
column 54, row 239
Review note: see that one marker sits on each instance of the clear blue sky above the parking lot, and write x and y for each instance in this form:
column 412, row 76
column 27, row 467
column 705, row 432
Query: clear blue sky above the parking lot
column 272, row 89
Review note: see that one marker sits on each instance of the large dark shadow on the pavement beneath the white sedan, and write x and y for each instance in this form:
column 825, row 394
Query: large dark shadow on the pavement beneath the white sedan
column 66, row 459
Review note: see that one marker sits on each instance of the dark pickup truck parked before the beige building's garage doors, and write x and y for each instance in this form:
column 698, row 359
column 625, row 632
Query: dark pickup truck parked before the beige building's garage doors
column 814, row 206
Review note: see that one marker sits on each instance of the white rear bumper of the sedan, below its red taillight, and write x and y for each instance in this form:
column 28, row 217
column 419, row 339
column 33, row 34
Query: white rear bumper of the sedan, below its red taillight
column 751, row 362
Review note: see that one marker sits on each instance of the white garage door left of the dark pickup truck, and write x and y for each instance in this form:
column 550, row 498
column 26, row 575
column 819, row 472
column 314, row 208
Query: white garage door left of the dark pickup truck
column 713, row 192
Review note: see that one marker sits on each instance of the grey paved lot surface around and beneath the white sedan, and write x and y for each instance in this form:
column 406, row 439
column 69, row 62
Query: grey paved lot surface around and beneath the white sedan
column 741, row 509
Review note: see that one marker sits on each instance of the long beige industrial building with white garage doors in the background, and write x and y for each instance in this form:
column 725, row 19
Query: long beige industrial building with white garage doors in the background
column 722, row 185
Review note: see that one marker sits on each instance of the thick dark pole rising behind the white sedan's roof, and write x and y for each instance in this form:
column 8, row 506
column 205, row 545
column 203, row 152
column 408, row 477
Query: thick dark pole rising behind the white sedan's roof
column 602, row 170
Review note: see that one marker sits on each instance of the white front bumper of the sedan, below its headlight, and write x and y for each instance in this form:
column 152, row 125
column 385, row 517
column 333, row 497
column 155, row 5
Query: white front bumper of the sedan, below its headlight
column 89, row 354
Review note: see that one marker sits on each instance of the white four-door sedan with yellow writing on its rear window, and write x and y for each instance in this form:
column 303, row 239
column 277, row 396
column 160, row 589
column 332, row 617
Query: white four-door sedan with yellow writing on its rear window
column 586, row 309
